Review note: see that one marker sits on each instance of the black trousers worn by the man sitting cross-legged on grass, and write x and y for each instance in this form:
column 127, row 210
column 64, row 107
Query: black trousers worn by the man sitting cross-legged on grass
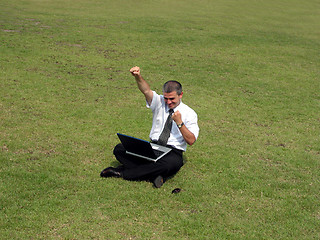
column 135, row 168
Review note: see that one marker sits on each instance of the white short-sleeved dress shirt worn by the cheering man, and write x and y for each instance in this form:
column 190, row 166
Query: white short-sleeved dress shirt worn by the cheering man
column 160, row 114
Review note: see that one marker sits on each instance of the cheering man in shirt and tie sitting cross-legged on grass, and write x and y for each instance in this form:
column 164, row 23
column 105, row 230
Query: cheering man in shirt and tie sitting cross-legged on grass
column 182, row 130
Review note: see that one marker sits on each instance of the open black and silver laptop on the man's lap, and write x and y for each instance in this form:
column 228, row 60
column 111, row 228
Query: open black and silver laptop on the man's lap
column 142, row 148
